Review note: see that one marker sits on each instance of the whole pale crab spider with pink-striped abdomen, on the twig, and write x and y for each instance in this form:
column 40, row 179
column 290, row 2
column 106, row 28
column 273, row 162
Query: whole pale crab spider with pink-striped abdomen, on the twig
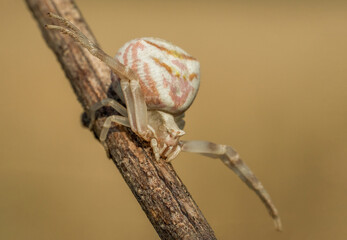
column 158, row 81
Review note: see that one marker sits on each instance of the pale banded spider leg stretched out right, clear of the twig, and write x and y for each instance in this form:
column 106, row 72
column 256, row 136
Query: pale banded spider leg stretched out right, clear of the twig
column 231, row 158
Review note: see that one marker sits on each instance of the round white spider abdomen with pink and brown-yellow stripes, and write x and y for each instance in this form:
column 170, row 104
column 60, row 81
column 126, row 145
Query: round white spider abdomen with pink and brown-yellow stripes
column 169, row 77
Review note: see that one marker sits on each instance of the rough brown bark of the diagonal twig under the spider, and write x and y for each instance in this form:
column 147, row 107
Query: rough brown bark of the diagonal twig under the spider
column 156, row 186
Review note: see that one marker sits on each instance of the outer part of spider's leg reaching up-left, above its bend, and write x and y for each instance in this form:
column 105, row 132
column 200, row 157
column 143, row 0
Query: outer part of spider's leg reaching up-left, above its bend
column 71, row 30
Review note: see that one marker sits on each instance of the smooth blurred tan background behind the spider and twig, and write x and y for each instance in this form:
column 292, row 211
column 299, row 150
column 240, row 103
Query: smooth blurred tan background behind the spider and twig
column 273, row 86
